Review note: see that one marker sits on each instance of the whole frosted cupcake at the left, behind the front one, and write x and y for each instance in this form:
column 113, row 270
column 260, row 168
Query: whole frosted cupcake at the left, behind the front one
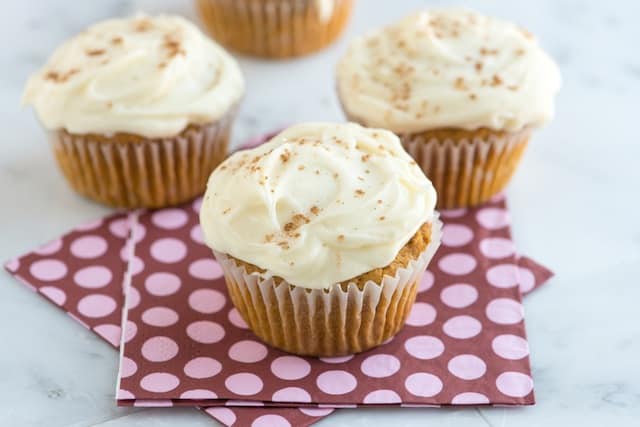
column 138, row 110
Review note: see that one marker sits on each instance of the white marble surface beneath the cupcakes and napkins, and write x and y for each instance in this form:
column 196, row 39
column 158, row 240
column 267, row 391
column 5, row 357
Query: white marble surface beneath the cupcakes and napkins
column 573, row 201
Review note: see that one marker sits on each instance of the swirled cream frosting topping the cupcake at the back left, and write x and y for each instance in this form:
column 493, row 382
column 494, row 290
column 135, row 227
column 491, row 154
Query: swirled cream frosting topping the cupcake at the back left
column 149, row 76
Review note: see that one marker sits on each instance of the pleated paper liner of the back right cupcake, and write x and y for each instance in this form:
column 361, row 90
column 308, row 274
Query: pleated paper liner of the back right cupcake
column 468, row 171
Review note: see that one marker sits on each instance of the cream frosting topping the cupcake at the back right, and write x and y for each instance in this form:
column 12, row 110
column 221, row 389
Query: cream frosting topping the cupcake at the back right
column 448, row 68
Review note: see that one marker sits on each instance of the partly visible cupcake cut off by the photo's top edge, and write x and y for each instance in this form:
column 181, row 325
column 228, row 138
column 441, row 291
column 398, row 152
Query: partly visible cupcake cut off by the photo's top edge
column 275, row 28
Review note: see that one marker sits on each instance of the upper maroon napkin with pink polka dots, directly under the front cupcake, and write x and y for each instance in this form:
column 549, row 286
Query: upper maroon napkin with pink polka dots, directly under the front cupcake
column 464, row 342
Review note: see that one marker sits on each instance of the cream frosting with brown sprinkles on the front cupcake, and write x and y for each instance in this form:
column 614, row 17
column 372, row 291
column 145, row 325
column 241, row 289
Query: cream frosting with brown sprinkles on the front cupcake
column 318, row 204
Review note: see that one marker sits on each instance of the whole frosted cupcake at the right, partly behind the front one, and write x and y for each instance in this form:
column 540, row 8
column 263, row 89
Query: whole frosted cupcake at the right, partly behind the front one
column 463, row 91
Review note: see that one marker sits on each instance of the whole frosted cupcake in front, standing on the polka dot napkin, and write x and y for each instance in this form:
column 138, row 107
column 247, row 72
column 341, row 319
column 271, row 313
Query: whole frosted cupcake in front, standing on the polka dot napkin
column 323, row 234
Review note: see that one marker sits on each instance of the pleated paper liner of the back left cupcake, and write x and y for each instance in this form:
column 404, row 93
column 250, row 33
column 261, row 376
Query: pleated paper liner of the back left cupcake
column 133, row 173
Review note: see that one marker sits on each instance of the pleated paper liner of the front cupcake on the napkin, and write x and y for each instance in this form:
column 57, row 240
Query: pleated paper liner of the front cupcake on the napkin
column 327, row 322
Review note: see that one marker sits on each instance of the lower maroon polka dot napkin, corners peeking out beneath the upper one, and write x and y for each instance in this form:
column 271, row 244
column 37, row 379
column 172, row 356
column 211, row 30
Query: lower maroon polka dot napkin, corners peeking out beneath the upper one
column 83, row 271
